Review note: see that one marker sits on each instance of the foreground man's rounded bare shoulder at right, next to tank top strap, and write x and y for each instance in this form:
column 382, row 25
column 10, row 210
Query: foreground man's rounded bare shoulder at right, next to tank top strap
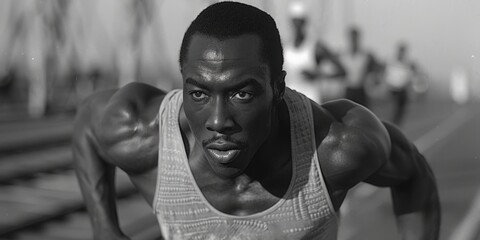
column 355, row 144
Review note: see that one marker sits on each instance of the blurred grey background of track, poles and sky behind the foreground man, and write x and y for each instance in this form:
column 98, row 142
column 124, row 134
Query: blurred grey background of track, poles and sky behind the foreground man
column 54, row 53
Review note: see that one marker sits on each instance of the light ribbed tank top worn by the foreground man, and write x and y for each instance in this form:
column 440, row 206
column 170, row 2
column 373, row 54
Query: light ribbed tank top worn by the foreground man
column 305, row 211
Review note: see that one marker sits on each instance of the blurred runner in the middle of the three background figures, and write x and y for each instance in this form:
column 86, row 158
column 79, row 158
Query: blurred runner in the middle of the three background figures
column 359, row 66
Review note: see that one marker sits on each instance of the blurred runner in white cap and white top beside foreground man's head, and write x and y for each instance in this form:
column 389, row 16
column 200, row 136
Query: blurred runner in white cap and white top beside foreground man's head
column 305, row 56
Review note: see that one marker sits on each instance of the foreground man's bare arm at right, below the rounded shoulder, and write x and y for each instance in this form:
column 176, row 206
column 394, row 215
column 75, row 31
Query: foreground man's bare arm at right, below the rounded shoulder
column 416, row 202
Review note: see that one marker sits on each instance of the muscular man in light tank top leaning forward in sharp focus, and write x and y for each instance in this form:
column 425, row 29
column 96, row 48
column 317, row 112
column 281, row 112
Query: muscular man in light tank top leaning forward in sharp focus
column 236, row 154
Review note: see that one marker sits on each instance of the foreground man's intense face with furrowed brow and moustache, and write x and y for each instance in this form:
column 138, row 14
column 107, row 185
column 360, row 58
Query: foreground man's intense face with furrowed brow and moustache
column 228, row 100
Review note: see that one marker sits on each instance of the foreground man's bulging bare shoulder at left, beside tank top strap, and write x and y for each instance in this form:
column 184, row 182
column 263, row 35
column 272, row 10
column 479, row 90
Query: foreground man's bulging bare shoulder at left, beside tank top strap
column 113, row 123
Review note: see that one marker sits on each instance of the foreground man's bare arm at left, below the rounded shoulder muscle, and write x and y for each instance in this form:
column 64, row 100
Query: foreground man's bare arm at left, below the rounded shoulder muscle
column 95, row 176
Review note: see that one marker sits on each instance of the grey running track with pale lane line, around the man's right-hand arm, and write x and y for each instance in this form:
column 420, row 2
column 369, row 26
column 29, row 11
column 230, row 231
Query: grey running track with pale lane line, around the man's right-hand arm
column 449, row 137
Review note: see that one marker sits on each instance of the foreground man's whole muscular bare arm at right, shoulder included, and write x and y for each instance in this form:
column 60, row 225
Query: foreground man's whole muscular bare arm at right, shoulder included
column 379, row 154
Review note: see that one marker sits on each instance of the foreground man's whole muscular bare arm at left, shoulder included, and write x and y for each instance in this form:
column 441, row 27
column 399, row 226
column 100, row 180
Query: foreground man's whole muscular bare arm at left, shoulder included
column 114, row 129
